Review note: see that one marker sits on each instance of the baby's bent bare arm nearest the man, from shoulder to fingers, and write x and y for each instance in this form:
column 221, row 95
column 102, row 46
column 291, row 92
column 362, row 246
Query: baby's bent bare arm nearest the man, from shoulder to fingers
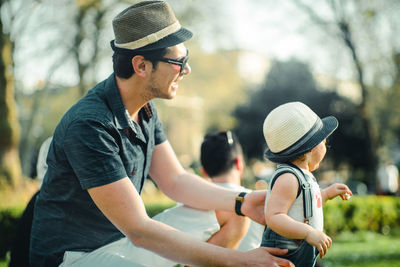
column 283, row 194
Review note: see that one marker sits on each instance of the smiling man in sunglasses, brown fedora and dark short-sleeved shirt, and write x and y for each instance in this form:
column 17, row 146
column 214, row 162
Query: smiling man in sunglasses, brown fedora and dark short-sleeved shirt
column 105, row 146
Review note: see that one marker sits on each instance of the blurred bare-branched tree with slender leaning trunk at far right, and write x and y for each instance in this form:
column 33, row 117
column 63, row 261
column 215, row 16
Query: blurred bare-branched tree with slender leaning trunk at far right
column 356, row 24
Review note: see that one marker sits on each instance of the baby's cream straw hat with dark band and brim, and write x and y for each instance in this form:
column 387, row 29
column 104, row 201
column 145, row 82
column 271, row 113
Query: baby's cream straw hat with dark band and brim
column 293, row 129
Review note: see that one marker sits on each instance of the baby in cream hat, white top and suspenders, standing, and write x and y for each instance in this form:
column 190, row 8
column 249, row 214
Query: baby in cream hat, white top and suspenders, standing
column 296, row 139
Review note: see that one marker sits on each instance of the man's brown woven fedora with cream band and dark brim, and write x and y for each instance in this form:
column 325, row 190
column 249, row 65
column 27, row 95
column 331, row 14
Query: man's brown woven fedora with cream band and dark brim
column 147, row 25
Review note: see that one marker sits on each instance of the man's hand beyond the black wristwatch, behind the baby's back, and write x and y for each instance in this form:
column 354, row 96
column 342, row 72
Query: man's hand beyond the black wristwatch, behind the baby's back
column 253, row 206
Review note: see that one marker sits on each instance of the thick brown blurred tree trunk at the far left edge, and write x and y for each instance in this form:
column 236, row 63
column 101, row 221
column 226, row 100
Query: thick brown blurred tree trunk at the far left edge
column 10, row 166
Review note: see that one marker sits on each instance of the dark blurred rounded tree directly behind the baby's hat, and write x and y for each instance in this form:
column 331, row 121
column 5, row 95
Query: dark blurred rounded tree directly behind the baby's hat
column 293, row 81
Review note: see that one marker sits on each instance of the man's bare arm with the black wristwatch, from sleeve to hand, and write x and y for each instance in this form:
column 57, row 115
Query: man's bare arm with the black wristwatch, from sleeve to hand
column 196, row 192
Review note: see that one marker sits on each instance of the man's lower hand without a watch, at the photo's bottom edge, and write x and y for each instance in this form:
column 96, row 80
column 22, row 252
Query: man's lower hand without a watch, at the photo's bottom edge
column 261, row 257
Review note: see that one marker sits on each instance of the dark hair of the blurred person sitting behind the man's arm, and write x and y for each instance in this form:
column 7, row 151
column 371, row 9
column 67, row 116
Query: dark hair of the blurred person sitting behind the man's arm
column 219, row 152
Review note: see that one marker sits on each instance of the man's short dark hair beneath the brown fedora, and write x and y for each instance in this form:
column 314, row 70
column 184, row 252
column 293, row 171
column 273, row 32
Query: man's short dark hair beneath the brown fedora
column 122, row 62
